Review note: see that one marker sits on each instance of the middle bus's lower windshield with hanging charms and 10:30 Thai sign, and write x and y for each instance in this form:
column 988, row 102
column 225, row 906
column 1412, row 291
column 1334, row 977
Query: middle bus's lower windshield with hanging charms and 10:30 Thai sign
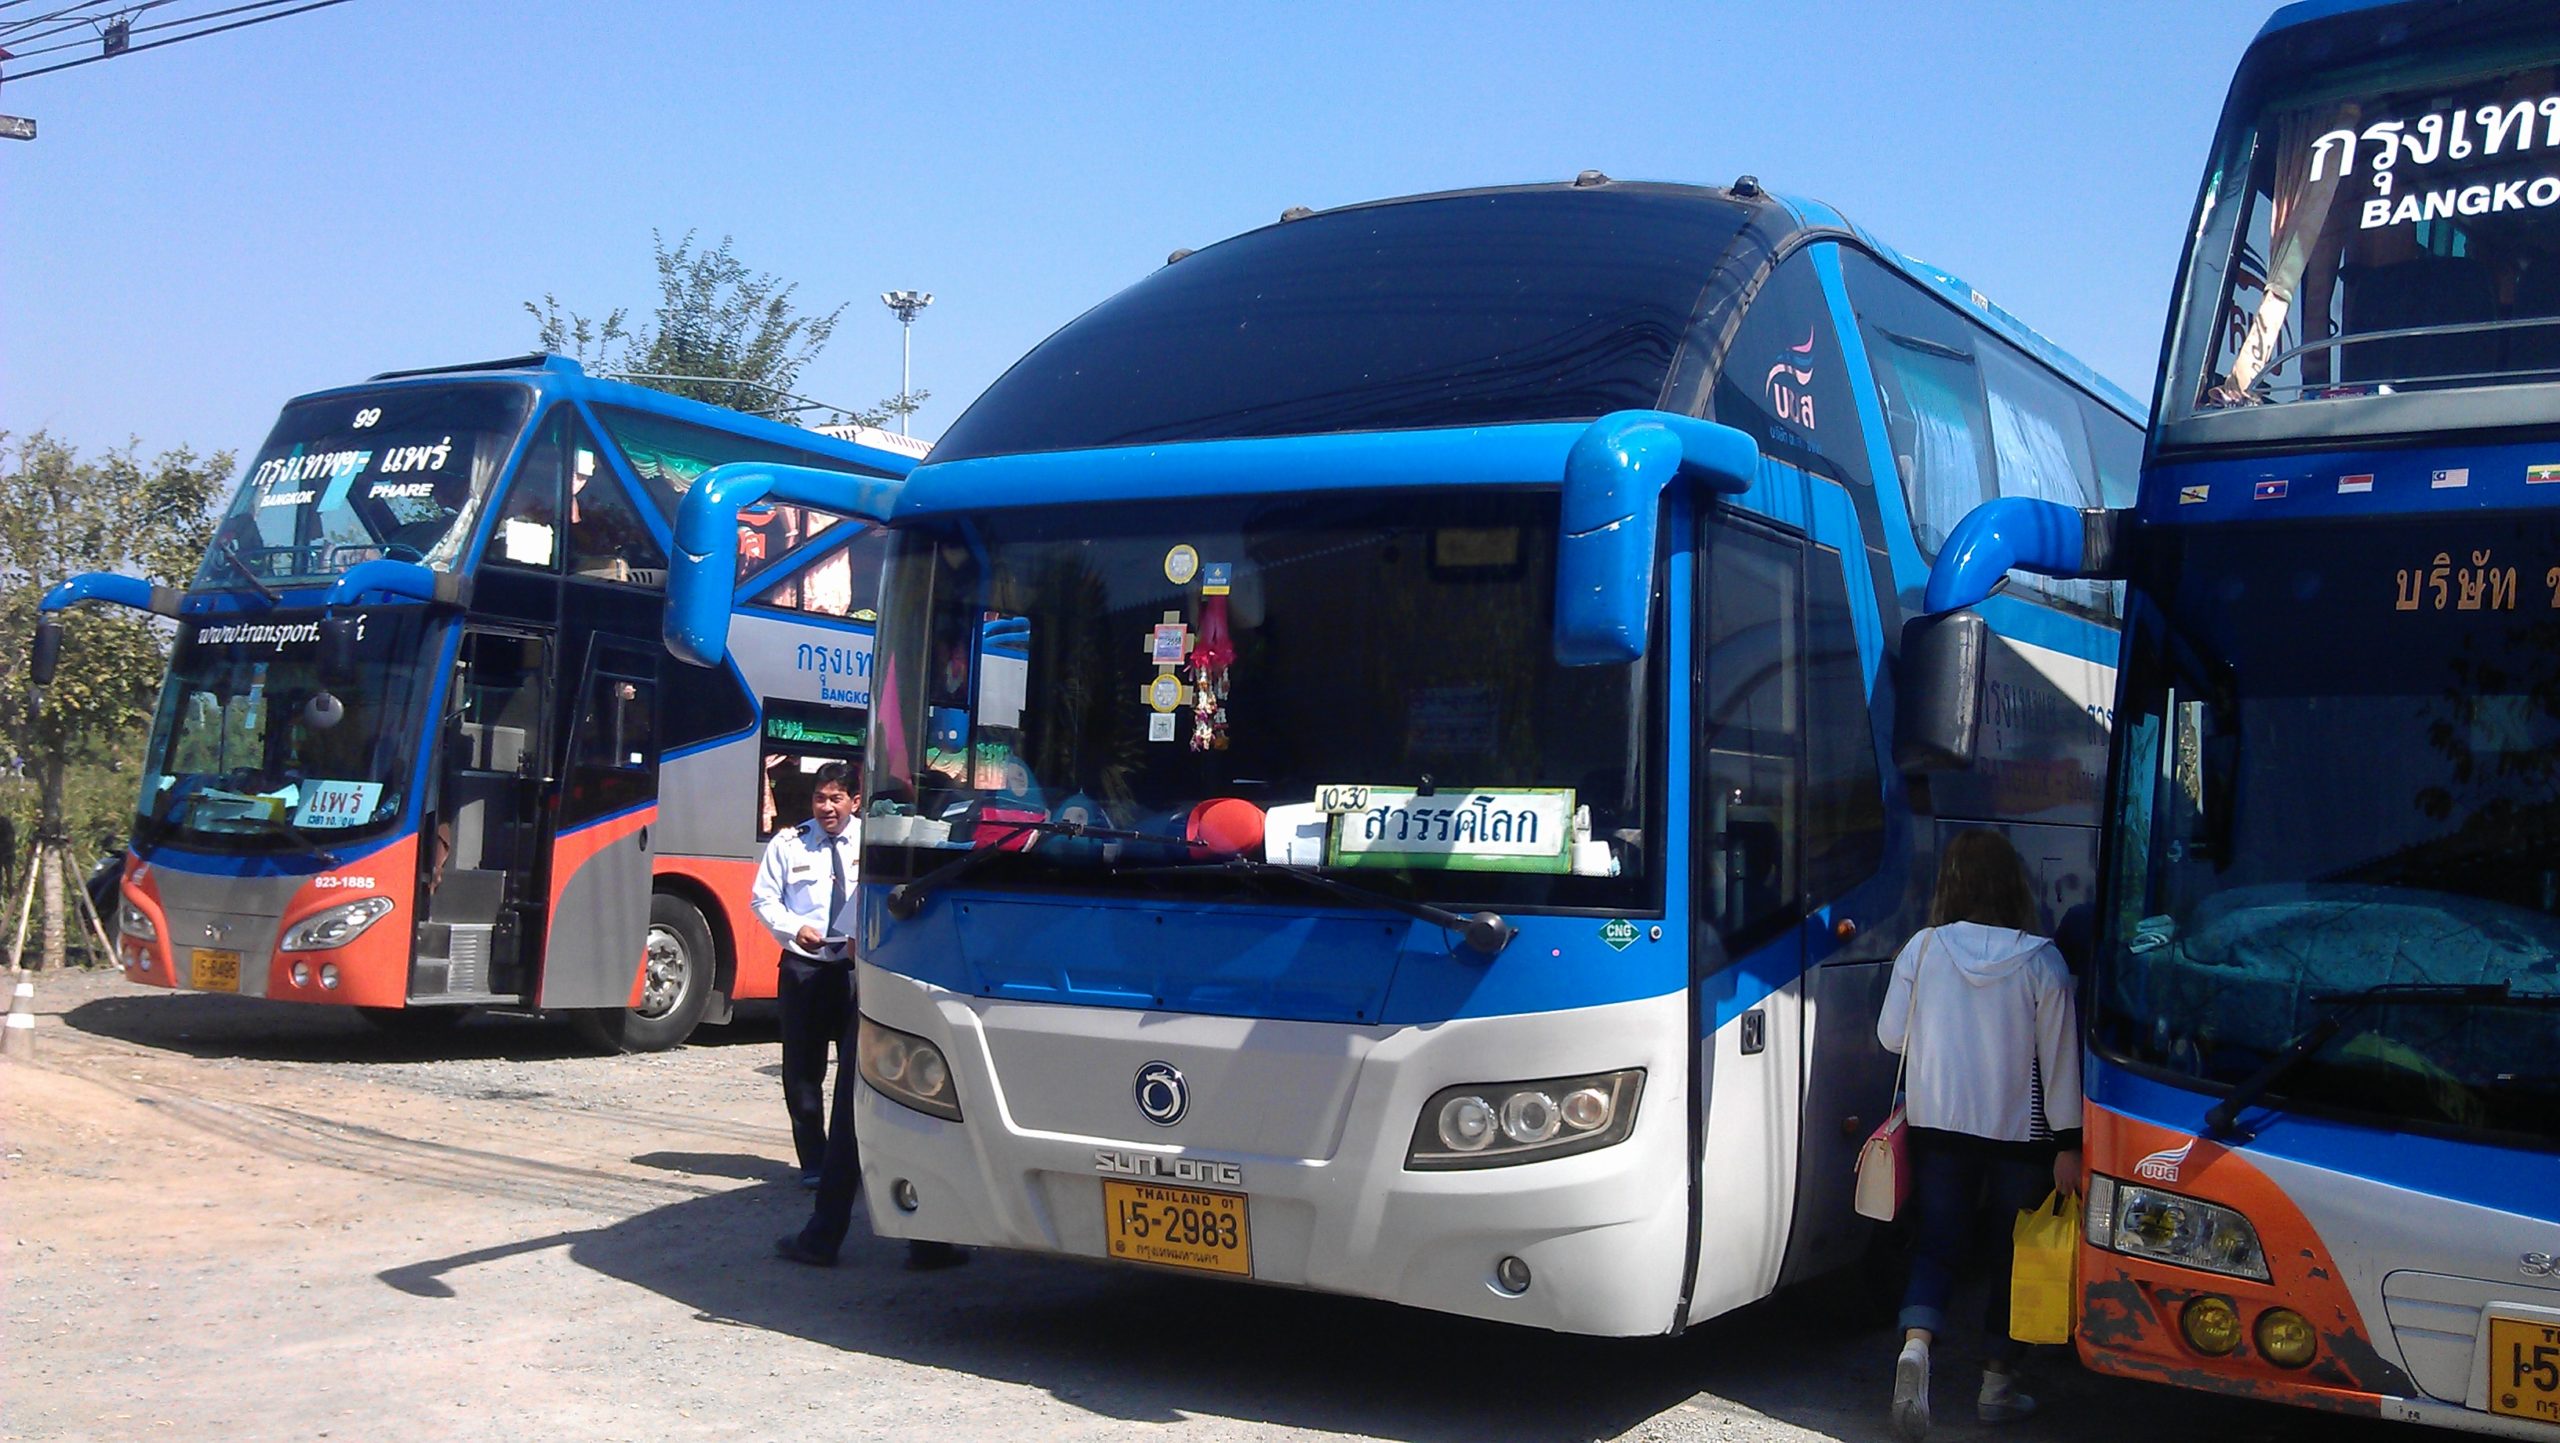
column 1181, row 672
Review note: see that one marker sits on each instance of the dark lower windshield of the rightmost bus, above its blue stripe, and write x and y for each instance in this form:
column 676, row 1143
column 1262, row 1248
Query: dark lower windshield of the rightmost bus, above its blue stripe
column 2341, row 766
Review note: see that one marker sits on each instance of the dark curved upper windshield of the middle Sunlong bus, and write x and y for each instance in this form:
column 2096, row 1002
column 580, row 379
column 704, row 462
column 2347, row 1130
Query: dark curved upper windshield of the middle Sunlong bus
column 1427, row 313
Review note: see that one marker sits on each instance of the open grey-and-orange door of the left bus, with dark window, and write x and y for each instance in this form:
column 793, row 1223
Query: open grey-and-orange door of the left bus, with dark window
column 603, row 823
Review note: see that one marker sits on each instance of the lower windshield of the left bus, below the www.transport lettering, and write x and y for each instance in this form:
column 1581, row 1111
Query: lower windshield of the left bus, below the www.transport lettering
column 244, row 753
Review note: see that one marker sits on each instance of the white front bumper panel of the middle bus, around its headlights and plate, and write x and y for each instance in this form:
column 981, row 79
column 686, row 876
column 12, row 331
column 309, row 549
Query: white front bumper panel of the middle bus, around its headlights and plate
column 1317, row 1153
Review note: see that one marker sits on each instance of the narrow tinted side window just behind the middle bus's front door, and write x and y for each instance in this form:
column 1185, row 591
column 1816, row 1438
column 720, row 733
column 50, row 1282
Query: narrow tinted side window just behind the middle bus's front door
column 1844, row 789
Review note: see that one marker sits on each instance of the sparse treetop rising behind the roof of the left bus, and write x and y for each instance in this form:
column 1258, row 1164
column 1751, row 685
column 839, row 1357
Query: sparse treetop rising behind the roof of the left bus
column 721, row 334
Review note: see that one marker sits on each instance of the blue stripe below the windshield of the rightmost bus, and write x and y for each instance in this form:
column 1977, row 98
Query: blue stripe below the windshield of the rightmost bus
column 2482, row 1176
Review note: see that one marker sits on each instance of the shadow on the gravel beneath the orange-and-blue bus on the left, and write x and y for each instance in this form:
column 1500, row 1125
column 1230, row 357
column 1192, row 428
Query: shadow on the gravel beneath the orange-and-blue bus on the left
column 204, row 1025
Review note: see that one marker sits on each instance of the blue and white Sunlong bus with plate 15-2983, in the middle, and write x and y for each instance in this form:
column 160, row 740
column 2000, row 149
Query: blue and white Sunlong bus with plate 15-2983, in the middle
column 1384, row 769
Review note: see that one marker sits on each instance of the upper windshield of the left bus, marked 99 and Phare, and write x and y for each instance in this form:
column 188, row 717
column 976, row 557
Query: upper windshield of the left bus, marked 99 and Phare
column 355, row 477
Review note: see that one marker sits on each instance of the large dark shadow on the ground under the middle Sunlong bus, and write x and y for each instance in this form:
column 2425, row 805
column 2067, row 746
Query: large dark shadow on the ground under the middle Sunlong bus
column 1156, row 1350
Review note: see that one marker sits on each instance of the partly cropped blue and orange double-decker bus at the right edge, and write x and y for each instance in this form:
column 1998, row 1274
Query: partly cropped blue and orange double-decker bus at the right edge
column 2326, row 976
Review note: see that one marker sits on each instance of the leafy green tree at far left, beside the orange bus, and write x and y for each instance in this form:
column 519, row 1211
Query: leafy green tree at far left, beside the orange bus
column 60, row 516
